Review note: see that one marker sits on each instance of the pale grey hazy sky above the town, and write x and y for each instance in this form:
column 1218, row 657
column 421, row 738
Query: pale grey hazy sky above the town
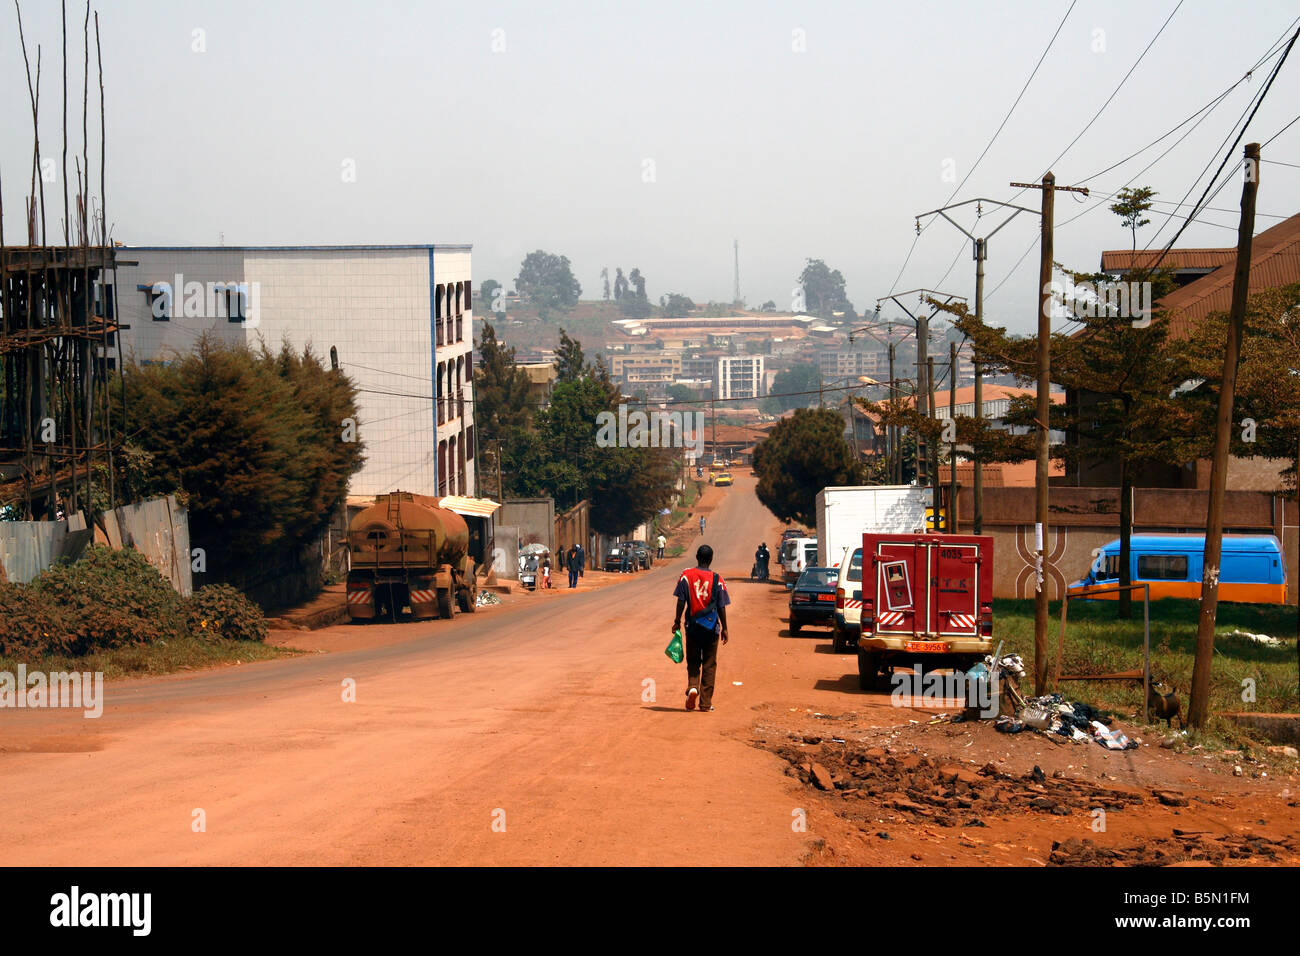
column 655, row 135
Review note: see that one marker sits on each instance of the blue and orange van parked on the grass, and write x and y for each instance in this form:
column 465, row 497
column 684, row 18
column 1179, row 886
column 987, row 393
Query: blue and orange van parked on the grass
column 1251, row 568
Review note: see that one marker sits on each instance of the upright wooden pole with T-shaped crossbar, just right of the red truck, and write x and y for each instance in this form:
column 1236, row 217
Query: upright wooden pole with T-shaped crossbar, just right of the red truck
column 1045, row 434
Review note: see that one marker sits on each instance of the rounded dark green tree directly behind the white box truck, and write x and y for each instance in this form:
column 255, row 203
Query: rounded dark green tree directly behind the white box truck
column 801, row 456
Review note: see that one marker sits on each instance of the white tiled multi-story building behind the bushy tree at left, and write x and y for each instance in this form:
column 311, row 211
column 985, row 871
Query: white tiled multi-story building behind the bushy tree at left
column 397, row 318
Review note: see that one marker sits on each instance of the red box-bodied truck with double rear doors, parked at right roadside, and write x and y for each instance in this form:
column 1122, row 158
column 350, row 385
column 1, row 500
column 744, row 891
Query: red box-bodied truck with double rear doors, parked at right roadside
column 926, row 600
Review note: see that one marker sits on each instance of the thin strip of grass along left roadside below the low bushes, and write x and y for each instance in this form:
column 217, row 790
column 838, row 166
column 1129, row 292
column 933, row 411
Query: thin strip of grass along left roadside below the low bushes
column 151, row 660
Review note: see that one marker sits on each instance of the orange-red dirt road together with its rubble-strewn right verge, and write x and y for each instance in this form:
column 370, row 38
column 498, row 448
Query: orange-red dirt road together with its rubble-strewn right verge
column 552, row 730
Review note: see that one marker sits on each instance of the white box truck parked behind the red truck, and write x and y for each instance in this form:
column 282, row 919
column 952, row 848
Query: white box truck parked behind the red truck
column 847, row 513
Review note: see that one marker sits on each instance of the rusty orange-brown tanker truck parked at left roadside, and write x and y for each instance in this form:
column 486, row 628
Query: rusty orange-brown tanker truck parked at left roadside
column 406, row 552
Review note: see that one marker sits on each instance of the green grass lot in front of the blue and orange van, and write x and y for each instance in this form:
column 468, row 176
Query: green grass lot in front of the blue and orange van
column 1098, row 642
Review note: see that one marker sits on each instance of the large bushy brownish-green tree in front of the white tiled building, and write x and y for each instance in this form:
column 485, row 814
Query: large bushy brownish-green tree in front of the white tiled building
column 258, row 444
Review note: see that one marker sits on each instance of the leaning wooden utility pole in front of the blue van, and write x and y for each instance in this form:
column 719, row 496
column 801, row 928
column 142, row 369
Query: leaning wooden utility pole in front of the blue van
column 1198, row 708
